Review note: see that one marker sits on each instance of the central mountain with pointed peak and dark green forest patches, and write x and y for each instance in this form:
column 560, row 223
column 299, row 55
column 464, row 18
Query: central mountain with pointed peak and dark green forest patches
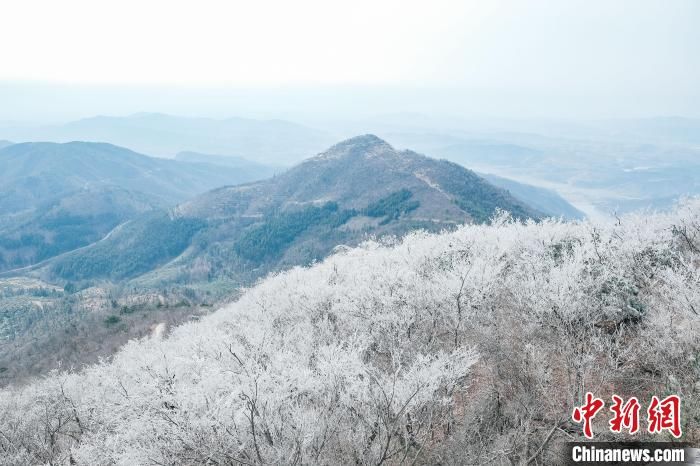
column 358, row 187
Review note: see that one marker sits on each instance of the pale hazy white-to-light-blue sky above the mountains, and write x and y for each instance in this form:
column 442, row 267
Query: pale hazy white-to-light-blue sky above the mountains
column 507, row 58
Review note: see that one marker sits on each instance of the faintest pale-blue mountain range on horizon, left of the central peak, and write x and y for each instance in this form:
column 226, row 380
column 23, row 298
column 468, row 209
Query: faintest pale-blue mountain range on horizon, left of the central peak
column 265, row 141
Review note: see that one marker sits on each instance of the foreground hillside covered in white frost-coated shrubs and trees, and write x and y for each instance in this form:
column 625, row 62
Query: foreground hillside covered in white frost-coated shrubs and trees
column 438, row 349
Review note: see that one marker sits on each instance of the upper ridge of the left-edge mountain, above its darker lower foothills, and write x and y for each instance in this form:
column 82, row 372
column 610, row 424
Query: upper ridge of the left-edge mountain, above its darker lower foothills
column 39, row 171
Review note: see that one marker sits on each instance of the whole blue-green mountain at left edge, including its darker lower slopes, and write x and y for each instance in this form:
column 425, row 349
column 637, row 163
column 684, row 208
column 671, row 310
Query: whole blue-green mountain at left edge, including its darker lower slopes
column 58, row 197
